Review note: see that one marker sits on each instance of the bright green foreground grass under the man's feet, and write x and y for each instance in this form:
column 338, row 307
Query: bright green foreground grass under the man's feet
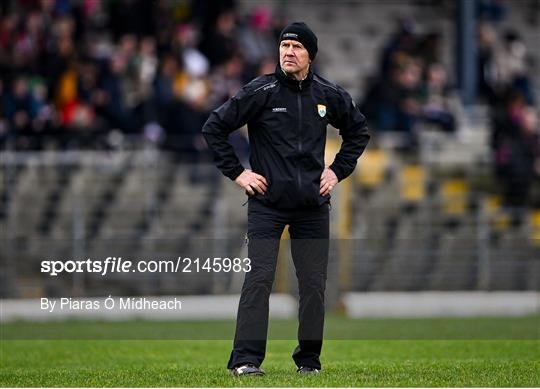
column 368, row 362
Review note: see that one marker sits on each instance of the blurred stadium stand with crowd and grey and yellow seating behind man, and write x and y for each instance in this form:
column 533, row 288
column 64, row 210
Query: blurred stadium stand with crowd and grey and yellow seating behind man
column 101, row 154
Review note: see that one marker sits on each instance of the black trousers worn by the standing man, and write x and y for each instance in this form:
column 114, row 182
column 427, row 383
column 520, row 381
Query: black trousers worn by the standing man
column 309, row 232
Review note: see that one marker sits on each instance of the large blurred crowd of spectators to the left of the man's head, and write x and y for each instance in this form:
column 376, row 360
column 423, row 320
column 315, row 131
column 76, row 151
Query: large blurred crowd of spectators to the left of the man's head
column 94, row 74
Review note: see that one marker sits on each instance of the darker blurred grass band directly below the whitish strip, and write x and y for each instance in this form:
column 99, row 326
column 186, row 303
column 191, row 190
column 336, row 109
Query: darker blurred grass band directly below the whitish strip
column 336, row 328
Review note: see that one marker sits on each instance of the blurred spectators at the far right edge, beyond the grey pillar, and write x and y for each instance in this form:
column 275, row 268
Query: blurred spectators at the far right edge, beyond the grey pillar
column 505, row 84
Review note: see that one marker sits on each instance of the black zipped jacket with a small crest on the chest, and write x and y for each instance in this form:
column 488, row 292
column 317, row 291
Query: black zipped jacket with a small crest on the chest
column 287, row 122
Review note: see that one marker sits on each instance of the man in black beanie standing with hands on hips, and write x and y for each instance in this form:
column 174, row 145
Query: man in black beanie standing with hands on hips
column 287, row 113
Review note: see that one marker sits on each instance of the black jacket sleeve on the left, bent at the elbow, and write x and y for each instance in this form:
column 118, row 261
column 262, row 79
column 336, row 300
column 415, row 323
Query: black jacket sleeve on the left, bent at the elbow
column 232, row 115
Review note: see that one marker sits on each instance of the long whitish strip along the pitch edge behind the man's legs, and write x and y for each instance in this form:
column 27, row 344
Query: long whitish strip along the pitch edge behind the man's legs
column 357, row 305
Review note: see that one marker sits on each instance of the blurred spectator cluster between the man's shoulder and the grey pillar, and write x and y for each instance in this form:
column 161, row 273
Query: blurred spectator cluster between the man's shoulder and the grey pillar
column 412, row 85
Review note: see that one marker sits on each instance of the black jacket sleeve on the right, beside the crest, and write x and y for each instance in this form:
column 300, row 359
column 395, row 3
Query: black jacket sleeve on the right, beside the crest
column 353, row 130
